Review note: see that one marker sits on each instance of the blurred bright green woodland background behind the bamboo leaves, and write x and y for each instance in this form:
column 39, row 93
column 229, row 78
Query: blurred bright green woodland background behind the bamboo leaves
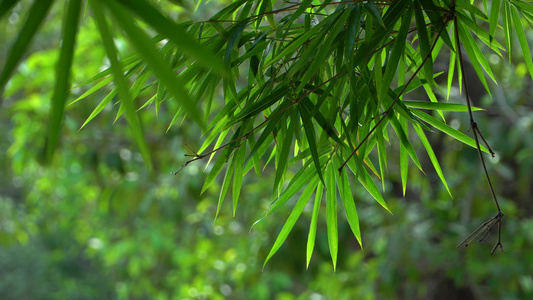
column 96, row 225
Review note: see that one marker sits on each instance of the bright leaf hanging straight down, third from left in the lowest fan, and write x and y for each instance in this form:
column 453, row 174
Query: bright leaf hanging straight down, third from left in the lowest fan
column 331, row 214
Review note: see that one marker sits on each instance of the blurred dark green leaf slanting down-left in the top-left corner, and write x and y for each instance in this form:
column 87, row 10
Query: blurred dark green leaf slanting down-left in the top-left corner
column 36, row 15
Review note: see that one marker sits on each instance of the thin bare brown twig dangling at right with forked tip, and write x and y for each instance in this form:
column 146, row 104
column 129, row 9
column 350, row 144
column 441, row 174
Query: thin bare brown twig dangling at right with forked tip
column 488, row 225
